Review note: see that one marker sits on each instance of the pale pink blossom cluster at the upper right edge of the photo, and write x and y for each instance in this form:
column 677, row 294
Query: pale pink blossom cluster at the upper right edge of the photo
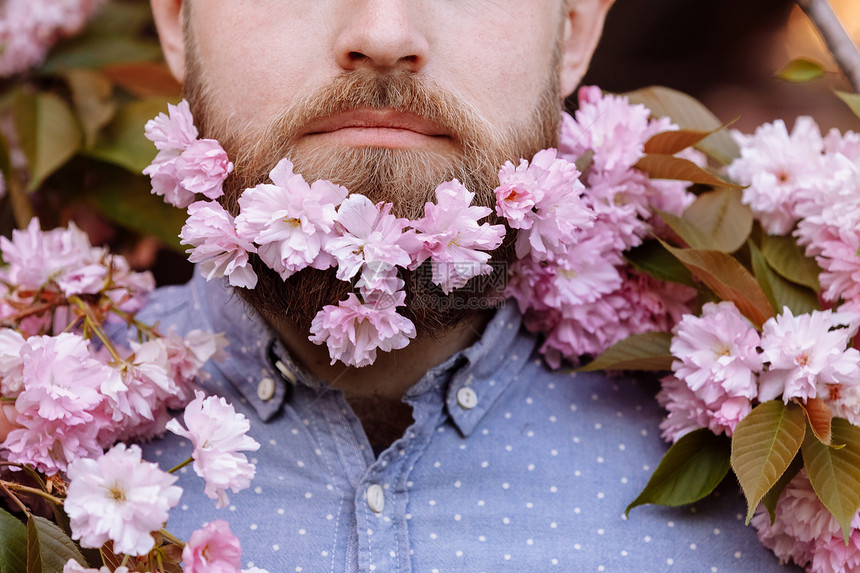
column 809, row 185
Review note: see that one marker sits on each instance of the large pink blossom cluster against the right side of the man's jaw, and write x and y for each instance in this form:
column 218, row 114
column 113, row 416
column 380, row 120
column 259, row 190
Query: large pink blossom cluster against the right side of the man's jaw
column 572, row 282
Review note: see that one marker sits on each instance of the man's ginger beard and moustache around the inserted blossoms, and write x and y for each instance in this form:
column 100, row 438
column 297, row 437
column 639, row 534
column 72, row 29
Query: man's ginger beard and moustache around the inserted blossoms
column 407, row 178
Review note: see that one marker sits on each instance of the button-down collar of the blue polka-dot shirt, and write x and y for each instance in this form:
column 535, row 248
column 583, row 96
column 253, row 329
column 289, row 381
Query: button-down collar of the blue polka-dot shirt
column 262, row 371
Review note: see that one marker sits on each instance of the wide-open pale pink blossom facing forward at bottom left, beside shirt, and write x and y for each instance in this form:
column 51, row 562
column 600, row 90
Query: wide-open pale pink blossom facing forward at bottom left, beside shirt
column 119, row 497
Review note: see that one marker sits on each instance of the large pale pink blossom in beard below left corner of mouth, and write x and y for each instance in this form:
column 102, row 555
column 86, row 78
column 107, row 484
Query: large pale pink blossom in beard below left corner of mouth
column 289, row 220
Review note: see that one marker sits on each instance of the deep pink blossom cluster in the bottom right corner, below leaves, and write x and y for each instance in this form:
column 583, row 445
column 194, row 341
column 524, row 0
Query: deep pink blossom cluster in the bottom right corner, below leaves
column 805, row 532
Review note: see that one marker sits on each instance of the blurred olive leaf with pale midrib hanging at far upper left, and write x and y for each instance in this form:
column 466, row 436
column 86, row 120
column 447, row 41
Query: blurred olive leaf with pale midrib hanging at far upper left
column 48, row 133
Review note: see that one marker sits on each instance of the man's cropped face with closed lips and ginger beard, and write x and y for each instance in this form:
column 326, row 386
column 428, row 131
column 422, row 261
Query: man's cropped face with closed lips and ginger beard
column 387, row 97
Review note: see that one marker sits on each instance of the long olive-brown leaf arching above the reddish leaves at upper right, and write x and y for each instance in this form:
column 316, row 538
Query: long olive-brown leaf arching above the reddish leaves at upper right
column 689, row 114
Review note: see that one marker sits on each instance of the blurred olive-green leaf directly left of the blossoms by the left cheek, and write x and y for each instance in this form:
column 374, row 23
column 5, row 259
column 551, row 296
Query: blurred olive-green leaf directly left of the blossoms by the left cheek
column 123, row 142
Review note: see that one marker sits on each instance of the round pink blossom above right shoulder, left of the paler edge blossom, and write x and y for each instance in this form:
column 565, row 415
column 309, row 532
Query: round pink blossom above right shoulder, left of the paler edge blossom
column 716, row 354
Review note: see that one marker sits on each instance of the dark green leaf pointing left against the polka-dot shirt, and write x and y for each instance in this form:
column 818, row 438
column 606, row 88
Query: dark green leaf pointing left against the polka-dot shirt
column 690, row 470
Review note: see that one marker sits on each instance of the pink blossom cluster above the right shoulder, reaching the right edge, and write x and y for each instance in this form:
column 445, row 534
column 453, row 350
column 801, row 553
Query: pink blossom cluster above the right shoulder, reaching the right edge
column 723, row 367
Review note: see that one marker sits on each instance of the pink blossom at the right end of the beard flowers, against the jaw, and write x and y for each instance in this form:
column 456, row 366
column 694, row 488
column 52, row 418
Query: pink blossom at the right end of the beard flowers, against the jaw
column 542, row 199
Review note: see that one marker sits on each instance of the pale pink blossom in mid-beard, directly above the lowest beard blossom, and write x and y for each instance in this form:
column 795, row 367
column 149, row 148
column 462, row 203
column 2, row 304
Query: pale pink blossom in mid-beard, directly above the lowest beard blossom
column 370, row 241
